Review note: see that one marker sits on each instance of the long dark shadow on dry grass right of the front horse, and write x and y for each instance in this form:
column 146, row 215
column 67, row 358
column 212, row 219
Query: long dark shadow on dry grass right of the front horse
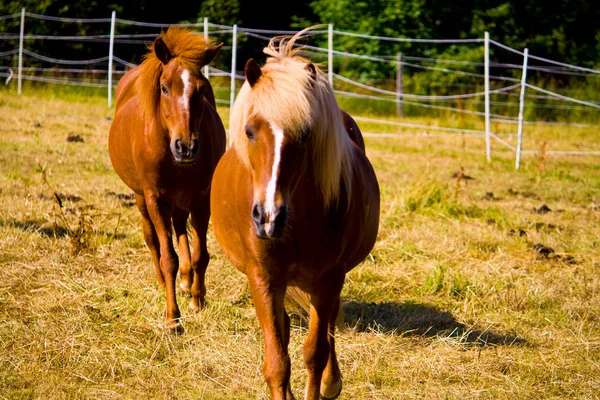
column 415, row 319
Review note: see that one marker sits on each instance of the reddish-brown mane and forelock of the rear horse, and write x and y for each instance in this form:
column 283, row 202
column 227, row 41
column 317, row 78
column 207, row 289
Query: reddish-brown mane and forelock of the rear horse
column 187, row 48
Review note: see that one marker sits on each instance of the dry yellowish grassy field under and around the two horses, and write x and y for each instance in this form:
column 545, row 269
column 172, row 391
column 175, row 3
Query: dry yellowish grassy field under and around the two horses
column 474, row 290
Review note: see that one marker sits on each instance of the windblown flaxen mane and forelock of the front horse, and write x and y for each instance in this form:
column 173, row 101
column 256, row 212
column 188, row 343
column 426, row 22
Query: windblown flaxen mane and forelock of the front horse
column 286, row 95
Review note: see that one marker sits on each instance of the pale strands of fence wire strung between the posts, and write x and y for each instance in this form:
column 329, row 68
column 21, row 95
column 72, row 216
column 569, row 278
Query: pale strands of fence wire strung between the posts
column 400, row 98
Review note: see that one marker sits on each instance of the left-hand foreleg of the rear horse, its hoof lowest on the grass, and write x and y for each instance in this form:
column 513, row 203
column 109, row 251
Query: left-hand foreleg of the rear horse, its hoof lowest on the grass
column 161, row 214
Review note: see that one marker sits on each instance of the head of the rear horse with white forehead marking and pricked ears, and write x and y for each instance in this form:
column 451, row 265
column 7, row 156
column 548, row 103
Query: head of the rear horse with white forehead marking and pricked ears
column 181, row 102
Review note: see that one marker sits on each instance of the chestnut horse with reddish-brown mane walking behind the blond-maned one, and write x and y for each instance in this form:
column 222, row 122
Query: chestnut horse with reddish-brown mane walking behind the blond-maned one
column 164, row 143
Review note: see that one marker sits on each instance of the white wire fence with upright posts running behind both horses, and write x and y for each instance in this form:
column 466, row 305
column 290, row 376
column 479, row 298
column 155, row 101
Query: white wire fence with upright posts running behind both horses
column 99, row 72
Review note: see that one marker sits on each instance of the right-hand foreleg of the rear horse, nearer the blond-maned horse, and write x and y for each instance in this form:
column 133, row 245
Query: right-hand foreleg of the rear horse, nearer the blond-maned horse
column 200, row 256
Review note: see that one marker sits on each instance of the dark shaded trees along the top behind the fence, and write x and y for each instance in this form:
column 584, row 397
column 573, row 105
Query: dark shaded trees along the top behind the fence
column 561, row 30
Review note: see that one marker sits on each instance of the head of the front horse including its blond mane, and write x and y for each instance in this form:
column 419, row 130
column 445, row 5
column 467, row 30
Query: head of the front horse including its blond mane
column 288, row 131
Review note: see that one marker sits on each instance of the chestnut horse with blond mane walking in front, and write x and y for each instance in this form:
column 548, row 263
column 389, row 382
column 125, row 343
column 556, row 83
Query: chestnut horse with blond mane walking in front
column 295, row 205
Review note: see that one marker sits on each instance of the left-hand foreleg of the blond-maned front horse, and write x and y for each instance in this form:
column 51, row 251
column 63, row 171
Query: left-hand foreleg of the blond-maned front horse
column 268, row 302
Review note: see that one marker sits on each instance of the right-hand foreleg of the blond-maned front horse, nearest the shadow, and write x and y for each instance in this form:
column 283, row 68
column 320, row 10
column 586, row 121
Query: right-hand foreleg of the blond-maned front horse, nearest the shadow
column 318, row 345
